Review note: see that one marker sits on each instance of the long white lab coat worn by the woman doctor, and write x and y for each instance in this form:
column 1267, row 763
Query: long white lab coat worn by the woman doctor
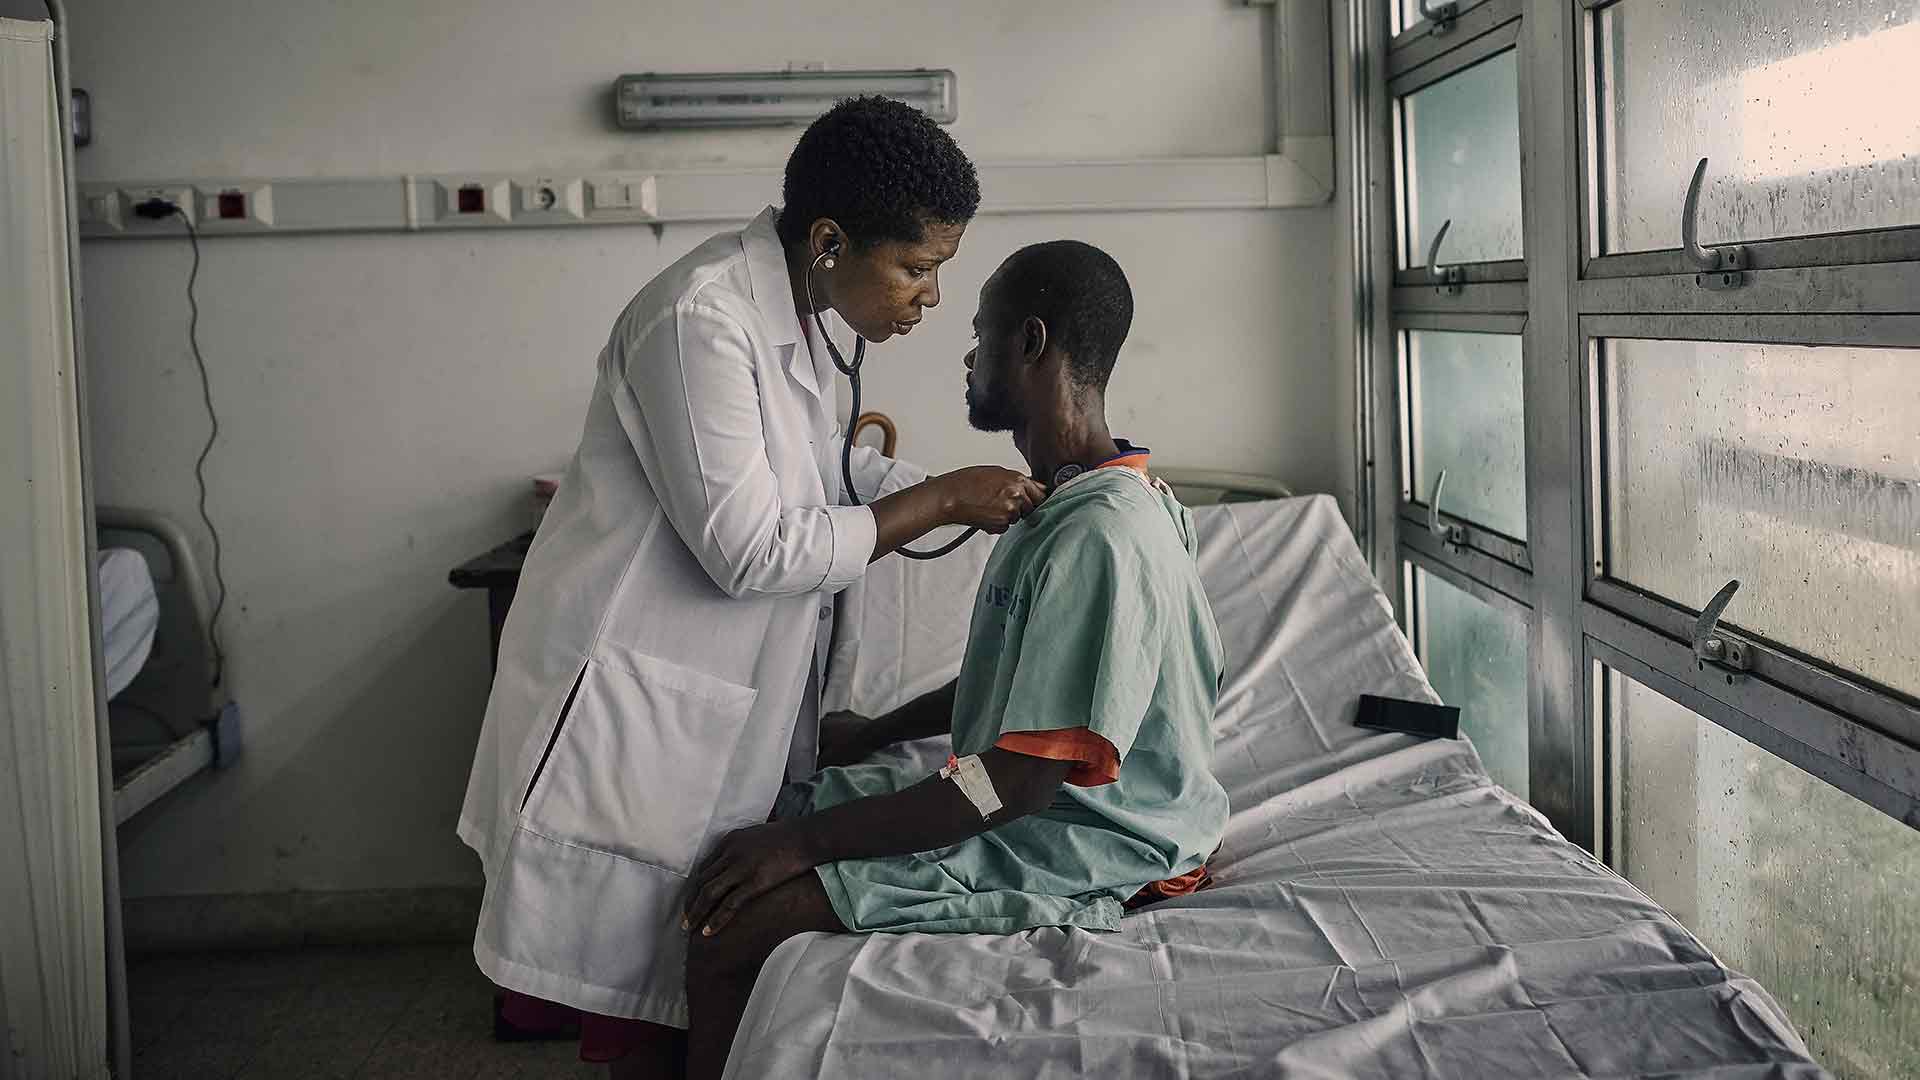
column 681, row 593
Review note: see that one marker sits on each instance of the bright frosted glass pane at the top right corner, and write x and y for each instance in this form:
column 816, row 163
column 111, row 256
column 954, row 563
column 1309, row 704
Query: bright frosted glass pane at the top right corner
column 1806, row 110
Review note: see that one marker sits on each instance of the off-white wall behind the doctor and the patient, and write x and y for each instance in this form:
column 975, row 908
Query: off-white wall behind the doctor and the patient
column 385, row 397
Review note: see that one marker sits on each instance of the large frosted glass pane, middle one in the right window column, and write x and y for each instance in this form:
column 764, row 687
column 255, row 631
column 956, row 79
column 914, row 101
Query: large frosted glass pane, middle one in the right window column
column 1788, row 468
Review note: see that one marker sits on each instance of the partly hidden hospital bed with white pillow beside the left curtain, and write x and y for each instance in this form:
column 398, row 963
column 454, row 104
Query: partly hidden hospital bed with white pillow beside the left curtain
column 166, row 716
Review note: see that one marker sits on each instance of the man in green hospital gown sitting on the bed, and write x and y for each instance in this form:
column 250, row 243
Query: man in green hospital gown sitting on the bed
column 1080, row 720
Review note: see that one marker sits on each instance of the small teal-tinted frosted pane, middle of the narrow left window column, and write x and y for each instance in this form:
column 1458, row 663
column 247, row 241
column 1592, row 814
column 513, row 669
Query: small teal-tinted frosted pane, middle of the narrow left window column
column 1468, row 420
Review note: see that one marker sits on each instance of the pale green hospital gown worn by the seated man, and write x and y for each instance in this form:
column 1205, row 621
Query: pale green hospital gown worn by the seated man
column 1090, row 614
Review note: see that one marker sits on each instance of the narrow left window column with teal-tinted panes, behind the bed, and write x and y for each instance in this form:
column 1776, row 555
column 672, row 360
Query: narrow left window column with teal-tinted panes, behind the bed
column 1458, row 312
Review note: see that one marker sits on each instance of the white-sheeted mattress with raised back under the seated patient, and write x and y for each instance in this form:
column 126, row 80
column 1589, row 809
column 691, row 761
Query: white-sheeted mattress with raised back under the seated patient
column 1381, row 908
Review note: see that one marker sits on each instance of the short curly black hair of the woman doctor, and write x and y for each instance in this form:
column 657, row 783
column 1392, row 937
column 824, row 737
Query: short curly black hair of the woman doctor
column 878, row 168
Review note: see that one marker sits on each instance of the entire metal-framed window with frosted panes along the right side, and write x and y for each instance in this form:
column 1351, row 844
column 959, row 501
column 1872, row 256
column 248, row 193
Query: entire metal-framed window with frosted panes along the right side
column 1673, row 574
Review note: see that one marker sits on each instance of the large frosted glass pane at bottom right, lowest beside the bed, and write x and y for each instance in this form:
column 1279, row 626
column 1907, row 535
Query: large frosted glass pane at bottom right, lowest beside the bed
column 1785, row 877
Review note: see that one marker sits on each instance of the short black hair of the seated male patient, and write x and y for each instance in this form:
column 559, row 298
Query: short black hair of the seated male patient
column 1080, row 293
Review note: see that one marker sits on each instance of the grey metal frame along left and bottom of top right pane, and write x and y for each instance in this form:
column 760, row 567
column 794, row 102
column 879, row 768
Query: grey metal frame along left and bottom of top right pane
column 1827, row 272
